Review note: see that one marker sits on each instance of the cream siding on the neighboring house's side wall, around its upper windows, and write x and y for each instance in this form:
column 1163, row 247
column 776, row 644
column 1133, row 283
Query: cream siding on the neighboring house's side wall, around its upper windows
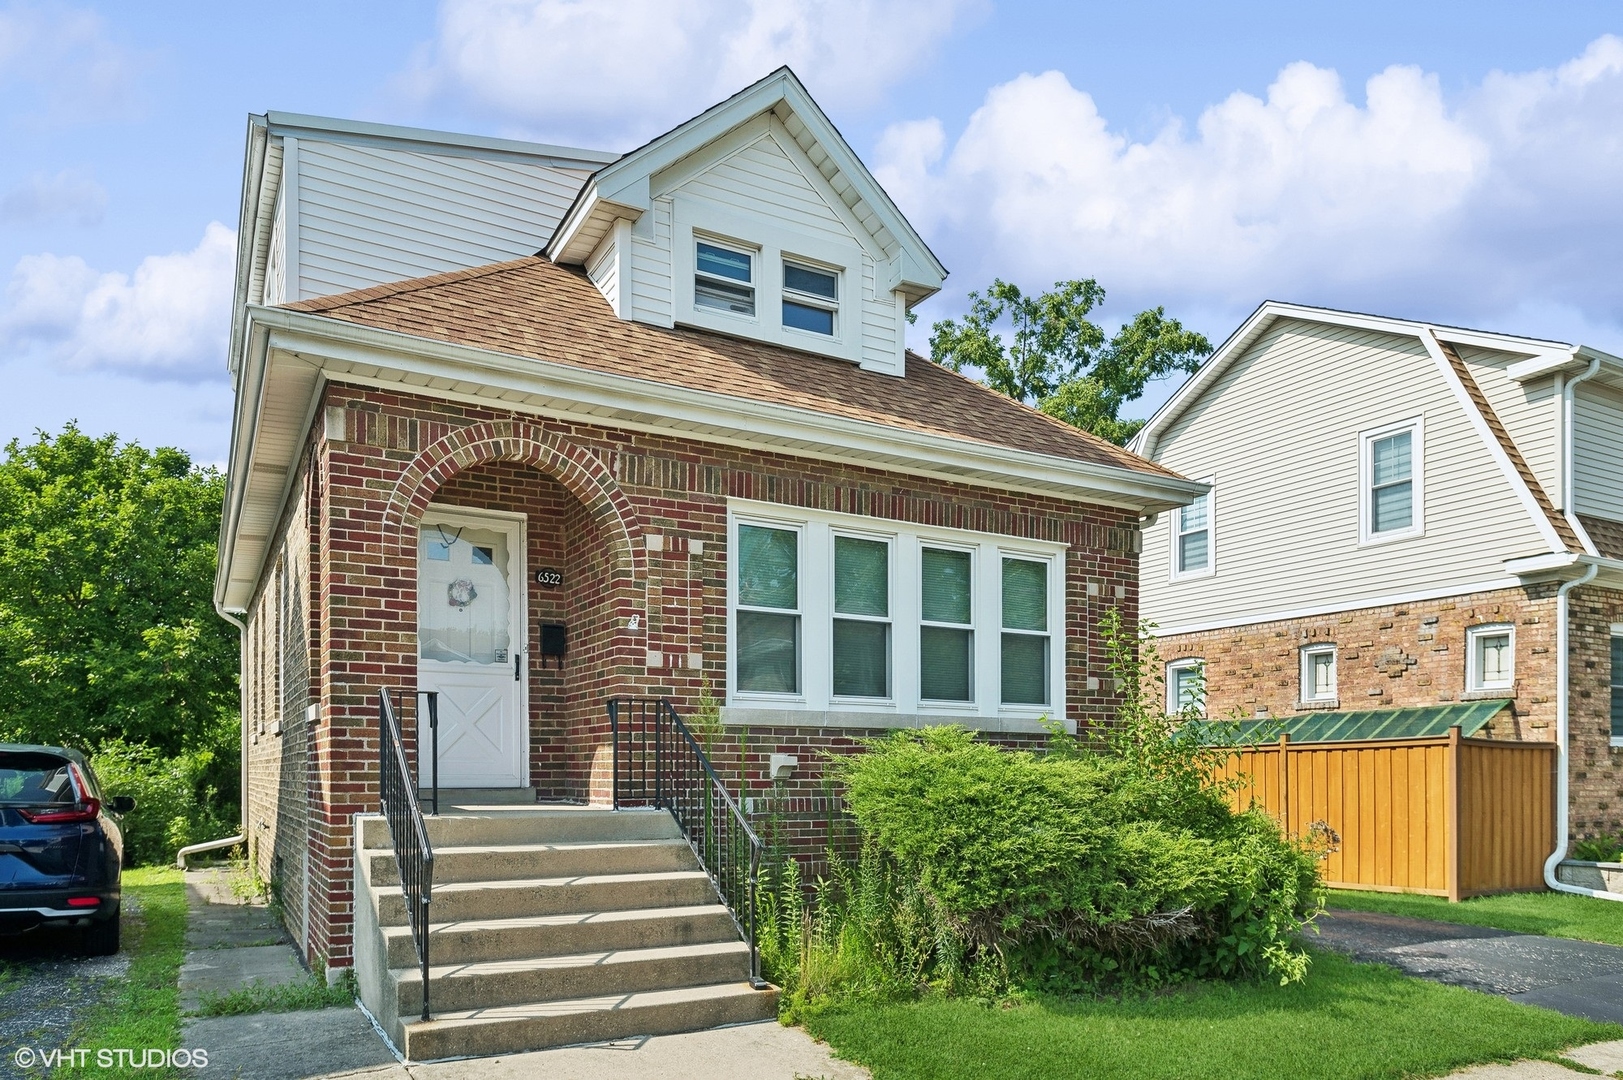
column 1281, row 428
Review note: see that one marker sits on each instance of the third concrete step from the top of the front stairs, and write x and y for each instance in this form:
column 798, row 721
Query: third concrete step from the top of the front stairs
column 553, row 896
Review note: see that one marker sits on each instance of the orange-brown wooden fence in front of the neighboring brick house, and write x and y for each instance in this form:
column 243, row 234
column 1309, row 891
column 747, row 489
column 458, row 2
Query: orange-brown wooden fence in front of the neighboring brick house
column 1442, row 814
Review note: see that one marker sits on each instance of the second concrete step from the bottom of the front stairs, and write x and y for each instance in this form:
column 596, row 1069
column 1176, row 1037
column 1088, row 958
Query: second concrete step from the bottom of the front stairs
column 497, row 983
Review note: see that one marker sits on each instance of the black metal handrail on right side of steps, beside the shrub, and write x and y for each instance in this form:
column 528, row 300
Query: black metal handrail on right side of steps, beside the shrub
column 658, row 762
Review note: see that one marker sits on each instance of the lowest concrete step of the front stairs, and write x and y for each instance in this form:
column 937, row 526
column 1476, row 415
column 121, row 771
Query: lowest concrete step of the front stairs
column 515, row 1029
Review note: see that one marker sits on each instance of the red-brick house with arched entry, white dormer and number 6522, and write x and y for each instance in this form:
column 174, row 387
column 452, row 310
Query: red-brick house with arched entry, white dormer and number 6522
column 686, row 438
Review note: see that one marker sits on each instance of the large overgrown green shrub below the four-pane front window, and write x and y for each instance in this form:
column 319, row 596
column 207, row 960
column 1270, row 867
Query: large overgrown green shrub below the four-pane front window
column 1090, row 868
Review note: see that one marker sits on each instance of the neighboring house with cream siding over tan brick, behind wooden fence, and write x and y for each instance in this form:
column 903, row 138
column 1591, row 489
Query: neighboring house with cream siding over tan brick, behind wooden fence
column 1400, row 516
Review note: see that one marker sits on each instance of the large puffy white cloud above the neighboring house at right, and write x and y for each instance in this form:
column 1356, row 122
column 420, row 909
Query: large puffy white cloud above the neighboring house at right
column 1410, row 204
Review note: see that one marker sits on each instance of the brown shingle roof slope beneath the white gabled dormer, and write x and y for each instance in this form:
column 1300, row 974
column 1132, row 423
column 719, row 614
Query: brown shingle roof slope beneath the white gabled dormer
column 538, row 309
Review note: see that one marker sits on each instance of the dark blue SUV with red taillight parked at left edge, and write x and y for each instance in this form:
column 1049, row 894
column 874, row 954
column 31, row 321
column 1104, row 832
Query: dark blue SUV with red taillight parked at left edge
column 61, row 845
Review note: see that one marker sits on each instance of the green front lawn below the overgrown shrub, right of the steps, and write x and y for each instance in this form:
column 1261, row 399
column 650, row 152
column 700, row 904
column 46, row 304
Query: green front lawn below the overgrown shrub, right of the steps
column 1346, row 1021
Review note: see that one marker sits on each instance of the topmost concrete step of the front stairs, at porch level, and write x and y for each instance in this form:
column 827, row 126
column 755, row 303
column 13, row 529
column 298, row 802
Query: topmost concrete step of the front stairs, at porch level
column 528, row 826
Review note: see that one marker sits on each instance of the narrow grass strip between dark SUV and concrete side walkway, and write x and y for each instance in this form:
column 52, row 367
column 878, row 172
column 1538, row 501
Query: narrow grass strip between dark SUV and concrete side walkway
column 147, row 1008
